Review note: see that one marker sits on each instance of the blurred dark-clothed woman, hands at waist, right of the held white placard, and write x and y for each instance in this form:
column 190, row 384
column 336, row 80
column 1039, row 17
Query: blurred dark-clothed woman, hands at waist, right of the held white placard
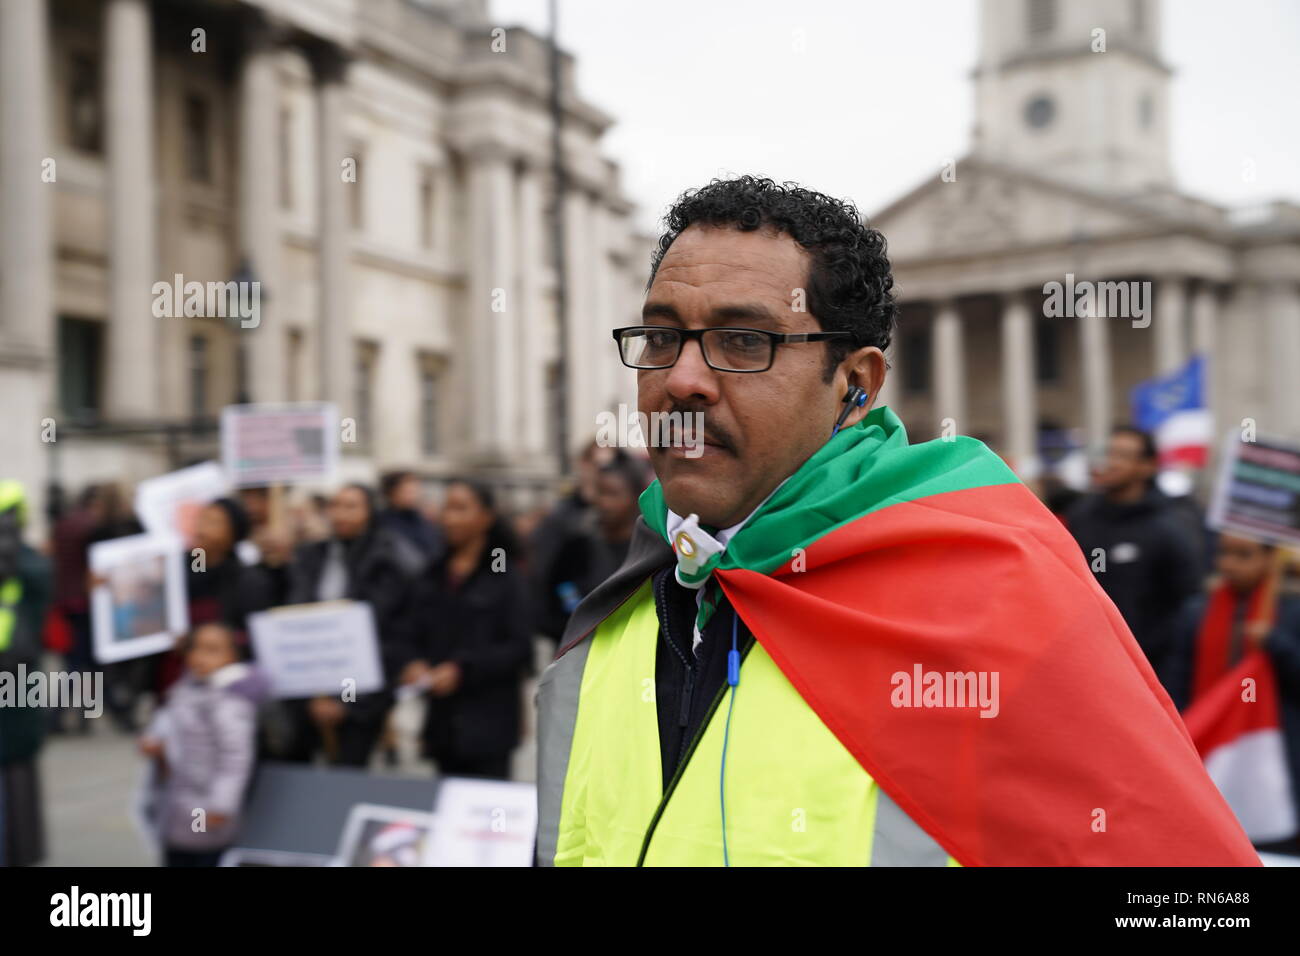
column 474, row 641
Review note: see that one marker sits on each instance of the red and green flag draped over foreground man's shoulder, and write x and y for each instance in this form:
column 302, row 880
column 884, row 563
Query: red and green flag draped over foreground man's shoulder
column 879, row 565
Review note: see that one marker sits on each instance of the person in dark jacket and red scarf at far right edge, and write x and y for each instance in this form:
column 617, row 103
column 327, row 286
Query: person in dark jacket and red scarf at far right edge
column 1216, row 630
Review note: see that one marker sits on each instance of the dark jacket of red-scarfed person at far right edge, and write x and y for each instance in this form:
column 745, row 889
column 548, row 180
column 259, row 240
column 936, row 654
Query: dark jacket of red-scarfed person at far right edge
column 1284, row 648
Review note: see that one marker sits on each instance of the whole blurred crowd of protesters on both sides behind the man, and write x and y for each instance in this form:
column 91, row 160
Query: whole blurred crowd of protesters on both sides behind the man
column 461, row 591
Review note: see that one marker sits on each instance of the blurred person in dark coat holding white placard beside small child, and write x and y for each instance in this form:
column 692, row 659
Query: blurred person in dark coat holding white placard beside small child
column 358, row 563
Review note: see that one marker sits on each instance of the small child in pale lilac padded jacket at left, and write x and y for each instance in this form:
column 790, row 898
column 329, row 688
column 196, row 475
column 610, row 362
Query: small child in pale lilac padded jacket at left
column 205, row 743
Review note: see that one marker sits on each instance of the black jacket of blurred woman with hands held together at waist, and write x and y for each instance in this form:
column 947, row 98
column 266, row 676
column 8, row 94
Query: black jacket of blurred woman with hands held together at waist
column 486, row 626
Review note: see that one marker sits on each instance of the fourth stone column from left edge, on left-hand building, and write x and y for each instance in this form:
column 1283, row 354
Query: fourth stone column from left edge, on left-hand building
column 337, row 351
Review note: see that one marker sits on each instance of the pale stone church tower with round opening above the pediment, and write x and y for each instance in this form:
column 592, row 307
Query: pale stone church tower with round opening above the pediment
column 1076, row 92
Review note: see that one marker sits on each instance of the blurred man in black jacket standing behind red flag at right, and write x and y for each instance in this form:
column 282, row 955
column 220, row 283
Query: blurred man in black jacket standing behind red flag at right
column 1139, row 548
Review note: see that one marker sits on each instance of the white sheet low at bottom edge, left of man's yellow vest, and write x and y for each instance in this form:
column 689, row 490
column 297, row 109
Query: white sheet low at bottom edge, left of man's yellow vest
column 484, row 824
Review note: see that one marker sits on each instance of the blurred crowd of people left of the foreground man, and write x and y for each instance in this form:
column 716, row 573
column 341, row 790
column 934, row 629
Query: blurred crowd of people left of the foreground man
column 461, row 591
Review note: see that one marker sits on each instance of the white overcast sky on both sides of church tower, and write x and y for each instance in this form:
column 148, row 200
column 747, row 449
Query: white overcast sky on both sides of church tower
column 881, row 94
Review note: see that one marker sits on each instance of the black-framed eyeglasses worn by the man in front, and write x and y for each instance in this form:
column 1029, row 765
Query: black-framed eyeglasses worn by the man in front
column 726, row 349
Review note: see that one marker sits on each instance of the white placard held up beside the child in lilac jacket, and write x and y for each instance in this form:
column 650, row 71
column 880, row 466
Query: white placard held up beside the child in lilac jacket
column 314, row 650
